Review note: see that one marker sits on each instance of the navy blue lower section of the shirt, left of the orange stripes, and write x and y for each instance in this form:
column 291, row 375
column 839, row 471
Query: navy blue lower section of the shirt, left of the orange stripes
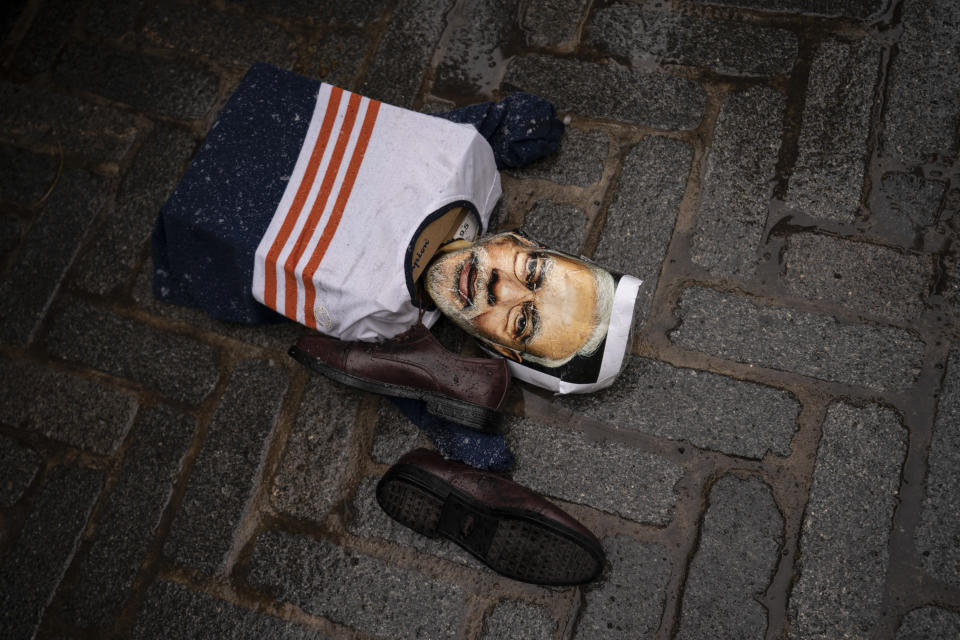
column 207, row 232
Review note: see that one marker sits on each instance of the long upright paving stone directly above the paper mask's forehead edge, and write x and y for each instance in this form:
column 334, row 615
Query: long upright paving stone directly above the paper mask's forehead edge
column 640, row 220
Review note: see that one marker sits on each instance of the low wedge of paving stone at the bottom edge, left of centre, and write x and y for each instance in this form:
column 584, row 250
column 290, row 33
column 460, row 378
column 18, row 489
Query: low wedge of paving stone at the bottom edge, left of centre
column 173, row 611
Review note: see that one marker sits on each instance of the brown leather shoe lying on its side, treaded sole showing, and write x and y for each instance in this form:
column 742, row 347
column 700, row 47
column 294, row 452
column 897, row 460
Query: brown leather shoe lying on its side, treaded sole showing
column 514, row 531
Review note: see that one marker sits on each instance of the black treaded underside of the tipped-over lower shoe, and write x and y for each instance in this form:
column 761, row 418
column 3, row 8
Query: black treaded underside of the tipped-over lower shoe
column 519, row 544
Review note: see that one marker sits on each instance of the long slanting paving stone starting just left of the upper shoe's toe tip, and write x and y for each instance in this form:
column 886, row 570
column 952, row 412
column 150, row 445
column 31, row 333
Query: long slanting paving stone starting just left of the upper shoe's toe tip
column 228, row 466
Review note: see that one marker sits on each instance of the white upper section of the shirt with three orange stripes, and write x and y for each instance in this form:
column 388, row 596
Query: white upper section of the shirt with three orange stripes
column 369, row 176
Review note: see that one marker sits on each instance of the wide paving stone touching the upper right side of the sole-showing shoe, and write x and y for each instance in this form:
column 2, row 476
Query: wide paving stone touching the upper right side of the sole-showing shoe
column 633, row 484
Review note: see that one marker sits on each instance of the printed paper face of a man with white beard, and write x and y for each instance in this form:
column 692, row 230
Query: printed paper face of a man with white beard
column 513, row 293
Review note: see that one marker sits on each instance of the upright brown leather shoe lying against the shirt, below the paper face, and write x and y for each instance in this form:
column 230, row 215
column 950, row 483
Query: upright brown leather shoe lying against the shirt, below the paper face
column 468, row 391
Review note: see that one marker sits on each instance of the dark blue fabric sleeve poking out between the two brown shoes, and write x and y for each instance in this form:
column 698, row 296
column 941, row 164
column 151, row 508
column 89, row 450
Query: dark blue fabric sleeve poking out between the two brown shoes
column 480, row 450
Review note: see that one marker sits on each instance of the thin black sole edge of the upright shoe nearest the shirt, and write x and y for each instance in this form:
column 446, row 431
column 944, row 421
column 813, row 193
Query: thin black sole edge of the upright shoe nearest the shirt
column 468, row 414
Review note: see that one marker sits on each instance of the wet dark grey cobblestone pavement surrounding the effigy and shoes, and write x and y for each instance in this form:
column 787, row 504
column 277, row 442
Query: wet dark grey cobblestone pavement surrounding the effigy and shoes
column 780, row 458
